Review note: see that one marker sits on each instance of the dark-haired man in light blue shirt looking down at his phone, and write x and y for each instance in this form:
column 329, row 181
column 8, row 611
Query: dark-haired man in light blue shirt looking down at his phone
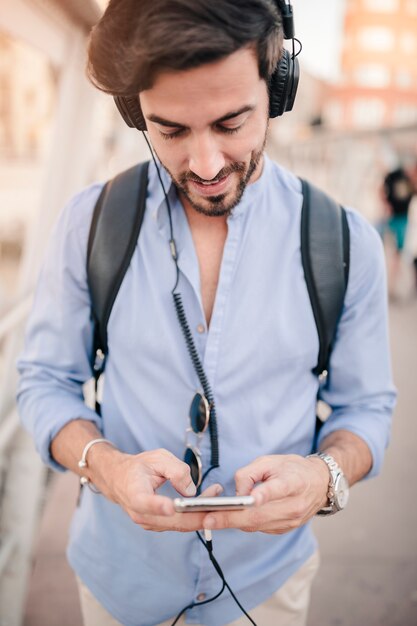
column 201, row 70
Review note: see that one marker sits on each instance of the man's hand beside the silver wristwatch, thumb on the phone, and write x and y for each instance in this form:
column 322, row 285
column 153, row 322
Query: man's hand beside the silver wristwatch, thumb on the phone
column 292, row 490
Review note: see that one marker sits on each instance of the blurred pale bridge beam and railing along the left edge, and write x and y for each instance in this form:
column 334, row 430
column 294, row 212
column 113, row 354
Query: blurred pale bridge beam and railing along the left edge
column 22, row 475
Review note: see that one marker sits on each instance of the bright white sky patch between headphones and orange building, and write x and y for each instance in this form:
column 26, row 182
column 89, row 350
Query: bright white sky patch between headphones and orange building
column 318, row 25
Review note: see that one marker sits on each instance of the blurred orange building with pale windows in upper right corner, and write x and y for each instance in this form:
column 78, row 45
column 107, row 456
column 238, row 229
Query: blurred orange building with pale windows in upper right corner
column 378, row 86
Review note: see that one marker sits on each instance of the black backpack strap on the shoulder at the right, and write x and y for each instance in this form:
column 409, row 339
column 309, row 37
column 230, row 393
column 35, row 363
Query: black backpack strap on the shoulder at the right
column 325, row 257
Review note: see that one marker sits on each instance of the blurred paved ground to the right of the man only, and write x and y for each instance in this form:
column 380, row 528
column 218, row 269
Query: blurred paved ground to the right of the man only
column 369, row 553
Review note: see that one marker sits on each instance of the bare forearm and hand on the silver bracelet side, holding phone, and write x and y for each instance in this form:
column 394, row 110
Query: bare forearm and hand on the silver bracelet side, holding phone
column 131, row 480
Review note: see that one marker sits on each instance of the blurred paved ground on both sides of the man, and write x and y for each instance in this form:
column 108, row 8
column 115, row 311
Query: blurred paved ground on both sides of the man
column 369, row 553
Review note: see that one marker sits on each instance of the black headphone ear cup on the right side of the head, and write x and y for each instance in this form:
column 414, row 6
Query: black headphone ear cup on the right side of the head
column 283, row 85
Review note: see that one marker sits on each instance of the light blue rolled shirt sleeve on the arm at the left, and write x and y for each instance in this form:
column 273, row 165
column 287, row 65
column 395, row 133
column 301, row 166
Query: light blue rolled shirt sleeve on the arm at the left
column 56, row 360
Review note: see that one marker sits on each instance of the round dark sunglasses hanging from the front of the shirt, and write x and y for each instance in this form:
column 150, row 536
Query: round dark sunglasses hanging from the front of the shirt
column 199, row 420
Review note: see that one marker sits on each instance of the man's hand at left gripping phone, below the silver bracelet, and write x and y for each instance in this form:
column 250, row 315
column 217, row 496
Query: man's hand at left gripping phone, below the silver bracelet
column 135, row 479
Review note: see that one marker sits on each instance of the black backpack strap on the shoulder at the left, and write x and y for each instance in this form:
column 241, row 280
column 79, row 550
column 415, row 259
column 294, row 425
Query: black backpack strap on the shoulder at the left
column 114, row 232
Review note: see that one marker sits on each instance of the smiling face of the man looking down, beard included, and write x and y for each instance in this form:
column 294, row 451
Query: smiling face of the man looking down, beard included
column 208, row 127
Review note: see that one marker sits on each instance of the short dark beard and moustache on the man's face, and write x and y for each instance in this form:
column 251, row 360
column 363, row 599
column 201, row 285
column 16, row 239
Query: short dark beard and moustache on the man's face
column 223, row 204
